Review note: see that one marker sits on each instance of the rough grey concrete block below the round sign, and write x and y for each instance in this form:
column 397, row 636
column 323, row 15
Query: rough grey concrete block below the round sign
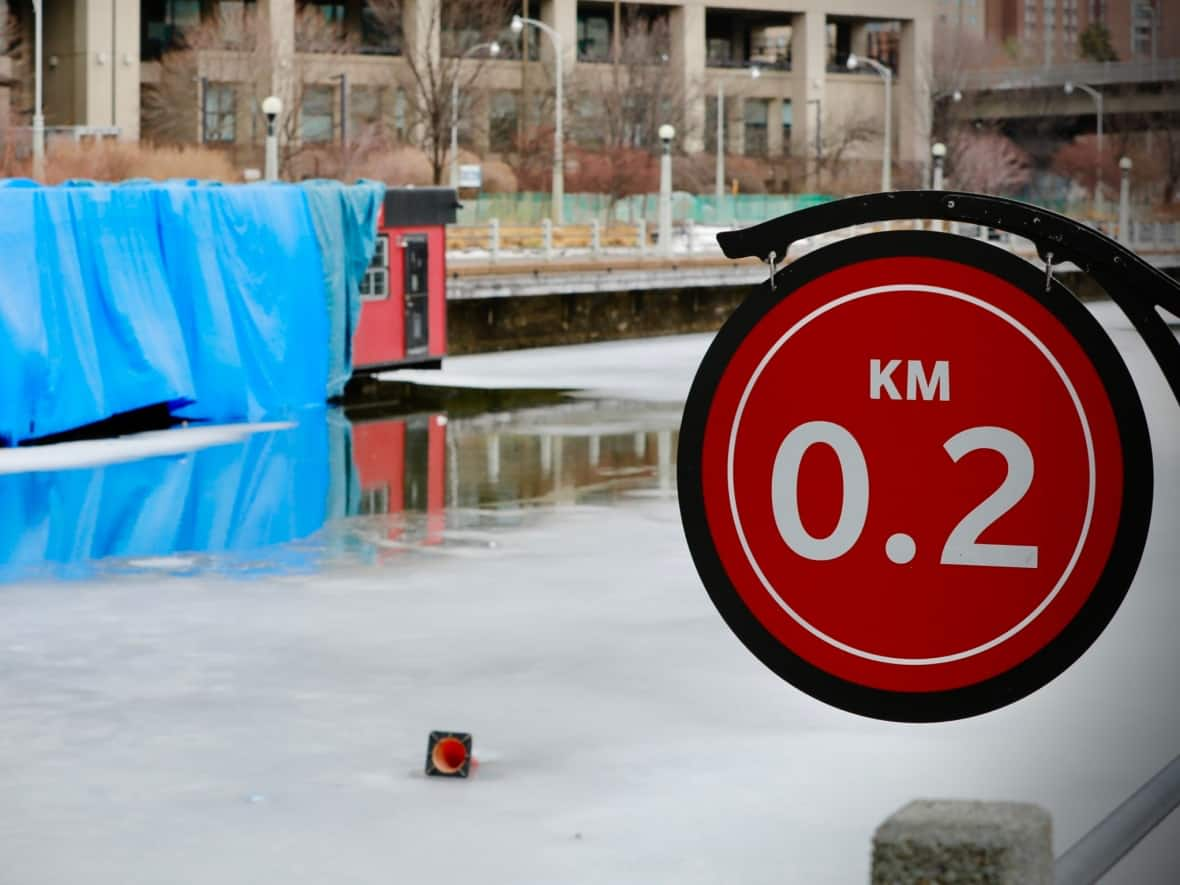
column 942, row 842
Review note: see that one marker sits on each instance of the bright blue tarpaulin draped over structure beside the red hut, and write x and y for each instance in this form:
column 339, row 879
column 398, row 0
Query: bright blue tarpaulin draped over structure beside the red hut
column 231, row 303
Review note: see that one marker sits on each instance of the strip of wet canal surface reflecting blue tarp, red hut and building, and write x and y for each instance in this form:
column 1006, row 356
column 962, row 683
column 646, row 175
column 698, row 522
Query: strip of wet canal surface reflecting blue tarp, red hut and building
column 330, row 489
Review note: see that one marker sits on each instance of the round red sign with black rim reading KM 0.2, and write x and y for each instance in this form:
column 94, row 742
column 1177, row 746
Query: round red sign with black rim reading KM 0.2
column 914, row 481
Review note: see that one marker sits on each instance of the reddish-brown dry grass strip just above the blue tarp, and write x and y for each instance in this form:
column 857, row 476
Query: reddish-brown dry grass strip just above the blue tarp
column 121, row 161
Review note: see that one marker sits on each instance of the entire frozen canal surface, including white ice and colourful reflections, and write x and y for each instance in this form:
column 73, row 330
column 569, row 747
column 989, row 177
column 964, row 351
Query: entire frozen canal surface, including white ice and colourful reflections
column 230, row 667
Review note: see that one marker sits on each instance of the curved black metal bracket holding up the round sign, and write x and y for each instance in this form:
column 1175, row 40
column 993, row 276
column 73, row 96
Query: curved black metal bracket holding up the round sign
column 1136, row 286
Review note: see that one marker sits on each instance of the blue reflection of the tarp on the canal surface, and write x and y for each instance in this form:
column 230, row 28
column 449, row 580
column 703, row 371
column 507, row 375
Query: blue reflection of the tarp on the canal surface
column 267, row 490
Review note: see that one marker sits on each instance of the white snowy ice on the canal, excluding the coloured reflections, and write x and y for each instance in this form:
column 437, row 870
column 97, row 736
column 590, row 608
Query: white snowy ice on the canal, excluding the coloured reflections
column 211, row 731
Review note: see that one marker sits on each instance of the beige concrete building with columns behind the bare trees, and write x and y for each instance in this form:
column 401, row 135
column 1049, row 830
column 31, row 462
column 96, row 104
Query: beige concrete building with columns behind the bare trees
column 102, row 57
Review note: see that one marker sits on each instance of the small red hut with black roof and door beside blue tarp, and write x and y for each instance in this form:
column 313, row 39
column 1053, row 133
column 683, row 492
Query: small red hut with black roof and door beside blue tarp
column 404, row 293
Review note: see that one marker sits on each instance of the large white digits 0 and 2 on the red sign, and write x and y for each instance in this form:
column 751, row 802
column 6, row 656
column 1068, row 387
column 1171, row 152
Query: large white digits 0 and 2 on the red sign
column 962, row 547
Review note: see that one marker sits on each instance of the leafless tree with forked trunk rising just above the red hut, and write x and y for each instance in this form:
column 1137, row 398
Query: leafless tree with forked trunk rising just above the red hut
column 436, row 38
